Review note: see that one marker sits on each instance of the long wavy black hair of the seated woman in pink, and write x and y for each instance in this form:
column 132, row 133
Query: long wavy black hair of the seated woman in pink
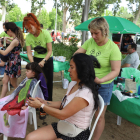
column 85, row 65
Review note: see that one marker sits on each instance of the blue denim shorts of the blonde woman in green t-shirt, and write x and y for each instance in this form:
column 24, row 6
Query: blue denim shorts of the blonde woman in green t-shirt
column 106, row 92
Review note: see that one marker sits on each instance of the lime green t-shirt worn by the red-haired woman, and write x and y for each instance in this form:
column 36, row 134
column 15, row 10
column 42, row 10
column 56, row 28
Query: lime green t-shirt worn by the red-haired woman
column 43, row 38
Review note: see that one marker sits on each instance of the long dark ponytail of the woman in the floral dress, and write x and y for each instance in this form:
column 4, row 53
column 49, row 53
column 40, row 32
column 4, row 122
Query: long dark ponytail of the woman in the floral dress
column 14, row 28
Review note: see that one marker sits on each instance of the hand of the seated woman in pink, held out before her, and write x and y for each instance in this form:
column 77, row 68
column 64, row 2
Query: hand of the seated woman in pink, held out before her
column 33, row 102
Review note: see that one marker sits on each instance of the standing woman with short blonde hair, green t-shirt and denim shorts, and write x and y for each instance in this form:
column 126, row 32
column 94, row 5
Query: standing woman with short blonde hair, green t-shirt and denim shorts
column 109, row 57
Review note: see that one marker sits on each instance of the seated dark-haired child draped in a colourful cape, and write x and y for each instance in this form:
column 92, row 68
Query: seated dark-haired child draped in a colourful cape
column 11, row 115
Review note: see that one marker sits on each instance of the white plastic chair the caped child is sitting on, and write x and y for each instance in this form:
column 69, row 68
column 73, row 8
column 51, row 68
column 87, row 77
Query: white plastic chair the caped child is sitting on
column 32, row 111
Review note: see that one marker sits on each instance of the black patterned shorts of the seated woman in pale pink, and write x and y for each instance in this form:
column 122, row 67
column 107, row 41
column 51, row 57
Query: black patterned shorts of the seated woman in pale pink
column 84, row 135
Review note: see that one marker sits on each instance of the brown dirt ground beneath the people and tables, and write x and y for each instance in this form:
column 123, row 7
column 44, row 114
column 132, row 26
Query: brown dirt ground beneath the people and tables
column 127, row 130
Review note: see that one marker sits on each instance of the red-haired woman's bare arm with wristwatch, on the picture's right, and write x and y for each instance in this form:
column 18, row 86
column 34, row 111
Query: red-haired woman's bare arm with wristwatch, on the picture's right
column 49, row 52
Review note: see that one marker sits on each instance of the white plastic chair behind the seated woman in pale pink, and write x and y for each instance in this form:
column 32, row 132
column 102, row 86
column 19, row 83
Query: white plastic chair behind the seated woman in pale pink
column 101, row 107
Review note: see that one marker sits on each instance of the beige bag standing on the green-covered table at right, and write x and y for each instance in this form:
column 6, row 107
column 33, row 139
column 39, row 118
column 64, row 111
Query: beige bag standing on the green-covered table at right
column 130, row 85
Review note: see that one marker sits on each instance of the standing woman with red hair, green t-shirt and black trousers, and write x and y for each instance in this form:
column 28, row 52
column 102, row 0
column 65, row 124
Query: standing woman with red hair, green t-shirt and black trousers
column 40, row 40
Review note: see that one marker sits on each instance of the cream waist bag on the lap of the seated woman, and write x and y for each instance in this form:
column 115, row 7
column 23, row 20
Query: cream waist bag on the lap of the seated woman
column 68, row 129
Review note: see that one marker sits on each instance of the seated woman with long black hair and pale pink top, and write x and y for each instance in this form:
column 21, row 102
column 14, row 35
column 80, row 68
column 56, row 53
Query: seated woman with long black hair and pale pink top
column 76, row 108
